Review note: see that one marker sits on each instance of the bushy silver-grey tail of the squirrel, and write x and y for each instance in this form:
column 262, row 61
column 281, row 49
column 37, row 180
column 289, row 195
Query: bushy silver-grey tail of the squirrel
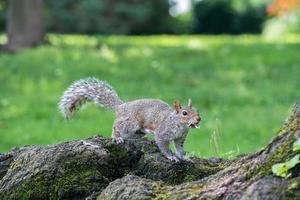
column 84, row 90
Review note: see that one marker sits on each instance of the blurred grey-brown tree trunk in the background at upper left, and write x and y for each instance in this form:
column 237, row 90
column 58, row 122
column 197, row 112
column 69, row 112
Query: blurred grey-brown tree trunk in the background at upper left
column 25, row 27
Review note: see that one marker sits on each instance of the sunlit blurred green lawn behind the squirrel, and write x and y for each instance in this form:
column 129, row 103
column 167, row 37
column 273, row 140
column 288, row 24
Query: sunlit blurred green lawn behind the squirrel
column 242, row 85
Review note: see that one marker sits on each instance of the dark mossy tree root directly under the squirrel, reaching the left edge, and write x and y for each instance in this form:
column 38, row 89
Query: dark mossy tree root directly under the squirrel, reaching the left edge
column 78, row 169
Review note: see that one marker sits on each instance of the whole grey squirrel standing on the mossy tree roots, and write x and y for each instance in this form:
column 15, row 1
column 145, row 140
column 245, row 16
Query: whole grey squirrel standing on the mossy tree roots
column 135, row 118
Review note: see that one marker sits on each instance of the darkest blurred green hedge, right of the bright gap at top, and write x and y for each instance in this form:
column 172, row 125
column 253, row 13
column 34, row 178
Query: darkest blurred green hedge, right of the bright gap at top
column 228, row 16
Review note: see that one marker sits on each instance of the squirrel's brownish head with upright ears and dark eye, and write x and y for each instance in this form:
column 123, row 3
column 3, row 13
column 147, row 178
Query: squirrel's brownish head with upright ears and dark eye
column 188, row 115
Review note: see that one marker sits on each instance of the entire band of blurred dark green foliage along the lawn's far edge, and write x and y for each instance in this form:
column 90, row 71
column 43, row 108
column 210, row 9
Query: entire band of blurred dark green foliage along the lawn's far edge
column 150, row 17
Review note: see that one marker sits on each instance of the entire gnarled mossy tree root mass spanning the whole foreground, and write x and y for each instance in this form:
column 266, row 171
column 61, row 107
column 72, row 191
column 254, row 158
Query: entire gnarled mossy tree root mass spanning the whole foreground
column 96, row 168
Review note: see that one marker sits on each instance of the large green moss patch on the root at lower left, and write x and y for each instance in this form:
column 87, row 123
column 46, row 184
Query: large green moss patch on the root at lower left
column 73, row 178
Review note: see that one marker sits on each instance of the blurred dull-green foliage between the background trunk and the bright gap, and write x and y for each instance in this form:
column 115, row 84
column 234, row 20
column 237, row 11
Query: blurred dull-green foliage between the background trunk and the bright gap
column 108, row 16
